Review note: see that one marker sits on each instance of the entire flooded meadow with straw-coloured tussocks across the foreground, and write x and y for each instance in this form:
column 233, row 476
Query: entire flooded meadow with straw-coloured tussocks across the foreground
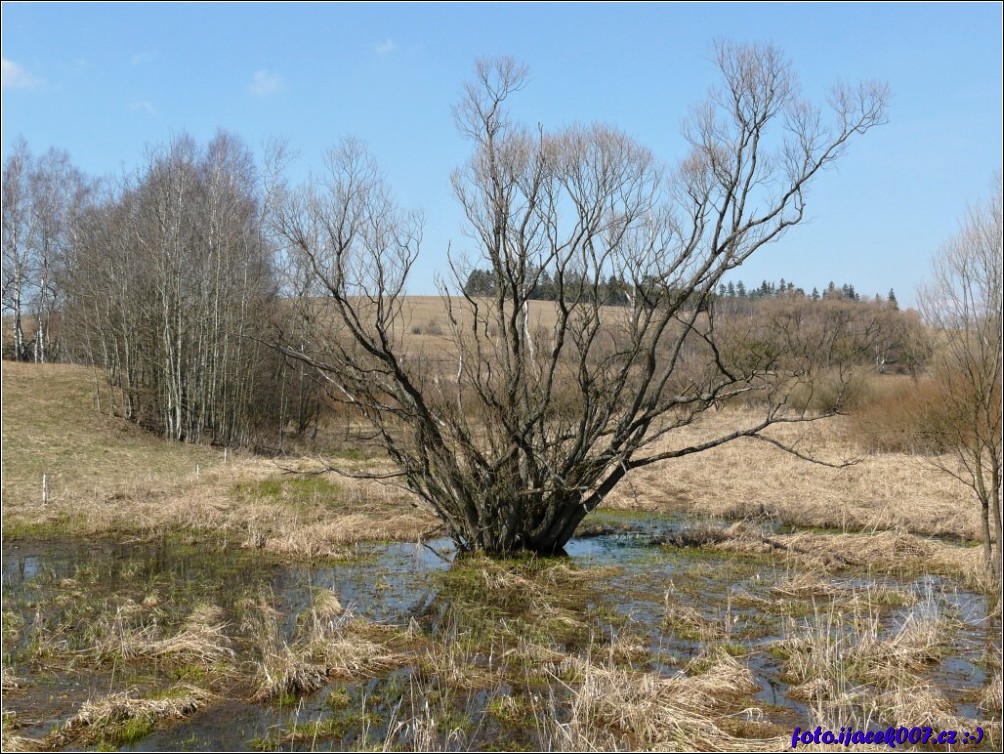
column 653, row 633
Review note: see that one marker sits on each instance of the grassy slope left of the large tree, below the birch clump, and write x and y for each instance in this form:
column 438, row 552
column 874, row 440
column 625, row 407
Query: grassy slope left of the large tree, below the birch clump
column 110, row 478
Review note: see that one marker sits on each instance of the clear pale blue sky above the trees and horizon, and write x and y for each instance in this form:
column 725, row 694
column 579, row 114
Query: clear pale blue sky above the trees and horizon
column 105, row 82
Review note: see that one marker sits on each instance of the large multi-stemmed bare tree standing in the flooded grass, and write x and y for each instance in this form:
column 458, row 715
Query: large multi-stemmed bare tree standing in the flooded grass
column 519, row 425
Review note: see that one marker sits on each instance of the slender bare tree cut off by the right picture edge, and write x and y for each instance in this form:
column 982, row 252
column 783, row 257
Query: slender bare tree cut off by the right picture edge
column 963, row 303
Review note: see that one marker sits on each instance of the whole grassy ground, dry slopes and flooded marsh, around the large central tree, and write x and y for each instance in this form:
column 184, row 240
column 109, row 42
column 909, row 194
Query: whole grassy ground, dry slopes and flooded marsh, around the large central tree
column 165, row 592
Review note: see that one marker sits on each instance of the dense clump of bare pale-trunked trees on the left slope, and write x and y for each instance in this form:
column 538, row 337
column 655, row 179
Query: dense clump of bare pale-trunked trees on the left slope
column 173, row 285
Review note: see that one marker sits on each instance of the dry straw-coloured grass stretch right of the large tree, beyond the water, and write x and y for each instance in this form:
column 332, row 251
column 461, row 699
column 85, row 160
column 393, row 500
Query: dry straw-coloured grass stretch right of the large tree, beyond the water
column 747, row 478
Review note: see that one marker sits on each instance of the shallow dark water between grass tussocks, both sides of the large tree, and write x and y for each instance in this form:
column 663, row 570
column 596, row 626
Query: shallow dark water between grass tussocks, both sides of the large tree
column 679, row 603
